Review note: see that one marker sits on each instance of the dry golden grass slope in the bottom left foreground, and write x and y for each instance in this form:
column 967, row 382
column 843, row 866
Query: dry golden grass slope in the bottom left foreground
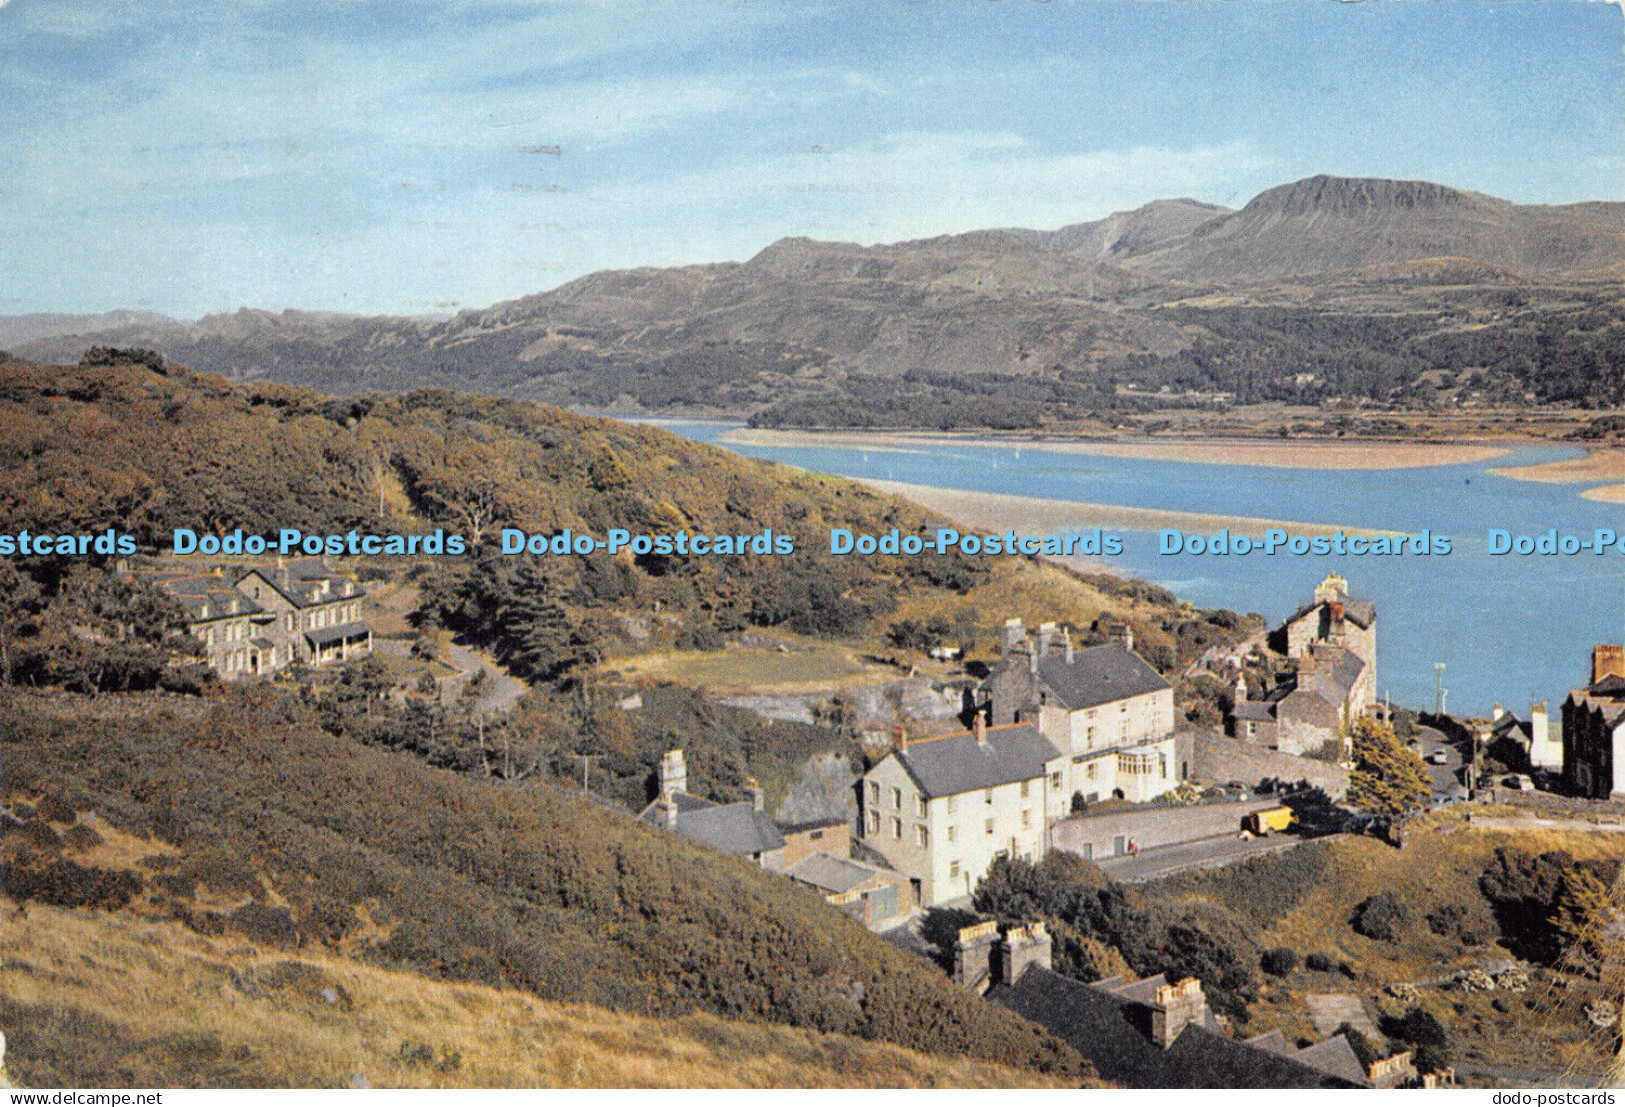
column 171, row 1007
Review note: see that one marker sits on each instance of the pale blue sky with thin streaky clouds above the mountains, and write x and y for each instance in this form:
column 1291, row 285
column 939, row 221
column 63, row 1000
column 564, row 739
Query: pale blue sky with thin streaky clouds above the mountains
column 436, row 155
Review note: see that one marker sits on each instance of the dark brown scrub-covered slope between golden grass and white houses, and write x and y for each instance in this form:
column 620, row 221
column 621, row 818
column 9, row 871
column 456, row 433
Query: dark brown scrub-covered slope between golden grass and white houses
column 245, row 817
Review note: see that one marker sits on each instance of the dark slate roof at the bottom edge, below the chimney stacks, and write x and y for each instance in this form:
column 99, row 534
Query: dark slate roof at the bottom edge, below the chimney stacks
column 1111, row 1030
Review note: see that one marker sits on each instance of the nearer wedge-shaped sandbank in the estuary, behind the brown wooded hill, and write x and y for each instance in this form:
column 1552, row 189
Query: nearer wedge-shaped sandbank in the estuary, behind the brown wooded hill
column 997, row 513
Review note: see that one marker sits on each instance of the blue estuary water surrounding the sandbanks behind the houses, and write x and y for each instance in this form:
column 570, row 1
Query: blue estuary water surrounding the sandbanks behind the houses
column 1507, row 628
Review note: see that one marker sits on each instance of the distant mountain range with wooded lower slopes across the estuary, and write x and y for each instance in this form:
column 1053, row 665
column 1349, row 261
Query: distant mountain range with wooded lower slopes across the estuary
column 1324, row 290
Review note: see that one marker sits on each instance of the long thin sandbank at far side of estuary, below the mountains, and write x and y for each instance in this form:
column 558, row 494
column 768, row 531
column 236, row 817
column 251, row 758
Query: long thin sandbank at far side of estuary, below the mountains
column 1289, row 454
